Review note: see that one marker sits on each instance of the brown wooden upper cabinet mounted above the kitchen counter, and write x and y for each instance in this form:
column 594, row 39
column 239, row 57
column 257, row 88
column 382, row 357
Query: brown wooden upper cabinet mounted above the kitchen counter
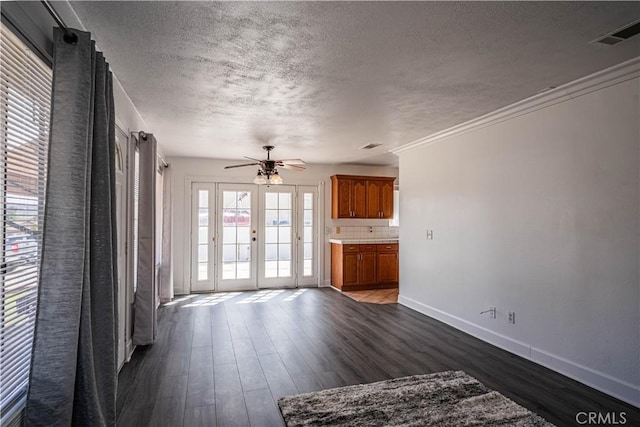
column 354, row 196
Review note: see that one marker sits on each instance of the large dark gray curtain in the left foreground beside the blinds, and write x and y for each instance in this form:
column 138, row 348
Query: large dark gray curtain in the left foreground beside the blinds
column 73, row 367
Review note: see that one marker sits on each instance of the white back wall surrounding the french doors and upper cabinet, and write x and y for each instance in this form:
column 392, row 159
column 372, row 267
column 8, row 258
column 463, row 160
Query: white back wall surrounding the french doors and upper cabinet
column 185, row 170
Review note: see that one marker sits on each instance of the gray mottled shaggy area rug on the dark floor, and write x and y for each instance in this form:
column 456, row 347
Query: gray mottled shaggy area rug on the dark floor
column 450, row 398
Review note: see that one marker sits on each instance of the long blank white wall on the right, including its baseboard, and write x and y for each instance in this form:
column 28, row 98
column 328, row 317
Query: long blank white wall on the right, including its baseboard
column 537, row 214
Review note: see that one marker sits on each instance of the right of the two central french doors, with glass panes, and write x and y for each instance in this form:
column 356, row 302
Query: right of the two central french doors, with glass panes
column 277, row 267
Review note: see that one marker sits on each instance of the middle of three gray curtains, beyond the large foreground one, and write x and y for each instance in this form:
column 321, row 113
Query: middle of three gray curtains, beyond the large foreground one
column 145, row 324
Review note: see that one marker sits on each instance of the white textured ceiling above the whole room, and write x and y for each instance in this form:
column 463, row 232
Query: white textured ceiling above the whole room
column 319, row 80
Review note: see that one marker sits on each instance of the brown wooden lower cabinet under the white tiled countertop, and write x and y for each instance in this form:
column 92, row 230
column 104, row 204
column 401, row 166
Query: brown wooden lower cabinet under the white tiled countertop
column 364, row 266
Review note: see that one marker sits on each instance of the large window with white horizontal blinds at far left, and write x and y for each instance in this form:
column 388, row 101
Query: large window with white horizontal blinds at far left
column 25, row 99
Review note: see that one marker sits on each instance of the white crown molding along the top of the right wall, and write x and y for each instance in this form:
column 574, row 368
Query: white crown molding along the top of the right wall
column 608, row 77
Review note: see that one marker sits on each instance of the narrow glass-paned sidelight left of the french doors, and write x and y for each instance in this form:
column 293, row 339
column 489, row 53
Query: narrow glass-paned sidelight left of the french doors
column 202, row 237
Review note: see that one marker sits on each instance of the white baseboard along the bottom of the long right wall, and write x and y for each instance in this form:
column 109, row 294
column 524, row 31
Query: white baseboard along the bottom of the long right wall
column 605, row 383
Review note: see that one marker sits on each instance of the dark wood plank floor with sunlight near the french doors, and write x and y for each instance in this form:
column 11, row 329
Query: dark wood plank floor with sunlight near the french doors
column 224, row 360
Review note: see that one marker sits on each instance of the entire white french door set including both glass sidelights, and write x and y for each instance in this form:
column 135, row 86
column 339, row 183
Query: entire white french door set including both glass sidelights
column 246, row 236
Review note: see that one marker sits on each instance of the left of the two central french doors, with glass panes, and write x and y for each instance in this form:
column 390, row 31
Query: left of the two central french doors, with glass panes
column 237, row 225
